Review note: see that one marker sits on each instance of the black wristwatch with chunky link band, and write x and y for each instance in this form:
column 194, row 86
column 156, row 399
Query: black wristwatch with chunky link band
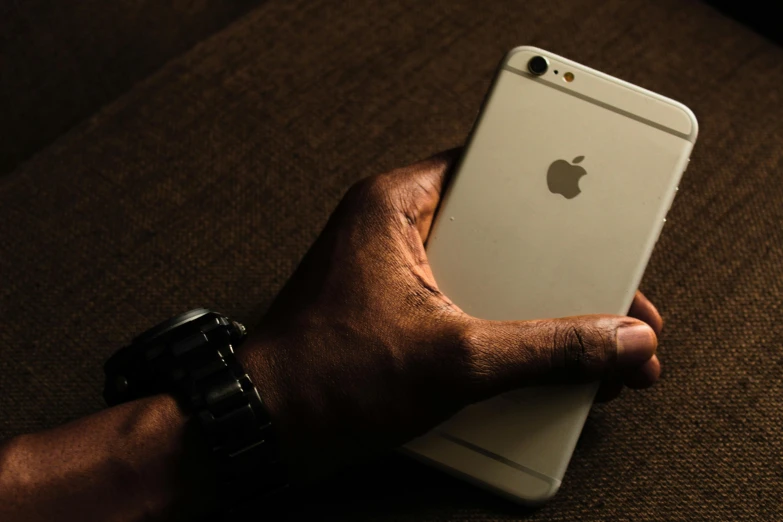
column 192, row 357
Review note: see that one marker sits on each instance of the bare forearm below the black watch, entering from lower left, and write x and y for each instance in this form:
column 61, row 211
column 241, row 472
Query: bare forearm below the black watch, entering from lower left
column 132, row 462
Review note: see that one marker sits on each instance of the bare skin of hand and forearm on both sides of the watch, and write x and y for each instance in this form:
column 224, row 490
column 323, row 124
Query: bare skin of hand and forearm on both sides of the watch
column 359, row 353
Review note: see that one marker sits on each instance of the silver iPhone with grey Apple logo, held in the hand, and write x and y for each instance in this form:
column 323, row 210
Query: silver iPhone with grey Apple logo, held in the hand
column 553, row 211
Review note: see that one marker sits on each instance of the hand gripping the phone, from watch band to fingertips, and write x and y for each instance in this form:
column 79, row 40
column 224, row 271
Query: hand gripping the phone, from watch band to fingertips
column 361, row 352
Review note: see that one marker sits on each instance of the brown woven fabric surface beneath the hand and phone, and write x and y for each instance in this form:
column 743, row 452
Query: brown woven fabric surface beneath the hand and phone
column 205, row 184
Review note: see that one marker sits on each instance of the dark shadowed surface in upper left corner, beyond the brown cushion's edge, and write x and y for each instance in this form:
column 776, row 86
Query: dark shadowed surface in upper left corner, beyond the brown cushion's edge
column 61, row 61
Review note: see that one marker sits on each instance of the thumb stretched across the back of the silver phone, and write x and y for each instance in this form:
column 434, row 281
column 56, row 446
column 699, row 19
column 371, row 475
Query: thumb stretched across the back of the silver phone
column 508, row 355
